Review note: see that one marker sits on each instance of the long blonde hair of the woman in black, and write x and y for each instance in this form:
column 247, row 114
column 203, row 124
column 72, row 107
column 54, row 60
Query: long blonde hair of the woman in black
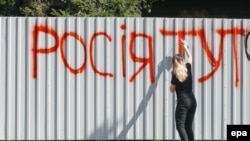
column 179, row 68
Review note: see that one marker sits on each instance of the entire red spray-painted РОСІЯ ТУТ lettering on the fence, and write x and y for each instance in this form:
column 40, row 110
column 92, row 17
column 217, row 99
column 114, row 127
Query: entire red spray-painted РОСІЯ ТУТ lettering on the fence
column 144, row 61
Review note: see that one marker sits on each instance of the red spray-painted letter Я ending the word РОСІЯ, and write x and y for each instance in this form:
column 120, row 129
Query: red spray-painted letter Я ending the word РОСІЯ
column 143, row 60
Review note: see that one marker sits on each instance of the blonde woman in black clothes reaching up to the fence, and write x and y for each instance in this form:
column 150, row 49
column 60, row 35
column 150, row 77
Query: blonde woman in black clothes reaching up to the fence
column 181, row 83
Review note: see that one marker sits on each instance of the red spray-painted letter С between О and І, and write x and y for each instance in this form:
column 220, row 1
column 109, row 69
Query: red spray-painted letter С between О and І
column 94, row 36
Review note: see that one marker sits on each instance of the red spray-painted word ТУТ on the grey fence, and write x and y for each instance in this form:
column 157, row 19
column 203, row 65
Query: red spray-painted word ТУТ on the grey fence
column 207, row 49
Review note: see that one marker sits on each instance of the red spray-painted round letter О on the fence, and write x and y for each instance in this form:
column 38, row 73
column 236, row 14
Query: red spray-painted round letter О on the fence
column 79, row 38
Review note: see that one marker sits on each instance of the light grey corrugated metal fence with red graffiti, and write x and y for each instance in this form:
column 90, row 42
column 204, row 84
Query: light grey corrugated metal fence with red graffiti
column 109, row 78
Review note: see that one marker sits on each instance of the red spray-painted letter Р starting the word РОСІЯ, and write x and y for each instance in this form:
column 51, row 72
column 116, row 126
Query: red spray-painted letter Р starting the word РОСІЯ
column 36, row 50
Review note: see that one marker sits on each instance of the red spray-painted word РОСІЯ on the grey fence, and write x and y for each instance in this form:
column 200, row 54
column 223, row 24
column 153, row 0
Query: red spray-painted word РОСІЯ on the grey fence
column 145, row 61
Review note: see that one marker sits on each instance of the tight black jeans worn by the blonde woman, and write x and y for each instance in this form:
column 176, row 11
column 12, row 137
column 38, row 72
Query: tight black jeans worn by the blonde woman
column 184, row 115
